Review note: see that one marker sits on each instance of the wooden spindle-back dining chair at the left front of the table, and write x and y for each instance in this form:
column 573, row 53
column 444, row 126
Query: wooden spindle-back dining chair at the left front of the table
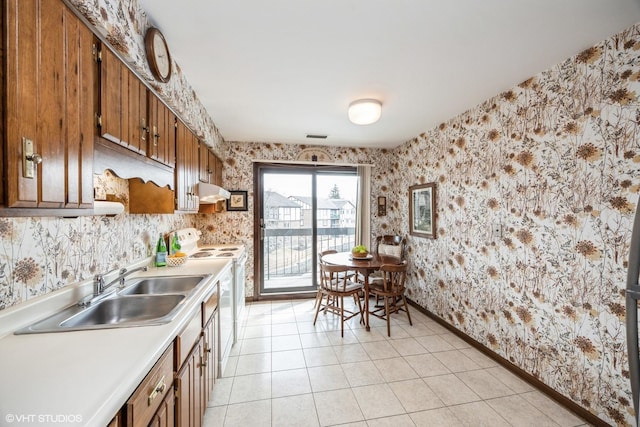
column 335, row 285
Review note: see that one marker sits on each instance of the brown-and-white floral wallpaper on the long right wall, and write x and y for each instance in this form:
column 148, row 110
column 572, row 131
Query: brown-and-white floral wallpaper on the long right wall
column 555, row 161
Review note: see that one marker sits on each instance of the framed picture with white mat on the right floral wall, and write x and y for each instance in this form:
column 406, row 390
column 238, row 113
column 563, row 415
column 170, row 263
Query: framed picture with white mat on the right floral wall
column 422, row 210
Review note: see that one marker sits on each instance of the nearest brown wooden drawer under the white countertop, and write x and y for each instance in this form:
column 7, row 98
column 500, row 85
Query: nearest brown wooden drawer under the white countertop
column 143, row 403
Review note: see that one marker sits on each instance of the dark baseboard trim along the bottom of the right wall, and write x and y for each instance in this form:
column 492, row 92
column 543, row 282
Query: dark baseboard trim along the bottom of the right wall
column 559, row 398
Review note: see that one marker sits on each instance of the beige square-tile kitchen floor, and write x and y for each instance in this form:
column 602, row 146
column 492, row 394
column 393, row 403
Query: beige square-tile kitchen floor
column 284, row 371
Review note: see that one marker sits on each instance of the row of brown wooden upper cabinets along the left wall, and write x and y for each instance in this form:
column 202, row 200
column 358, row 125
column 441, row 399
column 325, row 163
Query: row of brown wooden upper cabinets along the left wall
column 73, row 107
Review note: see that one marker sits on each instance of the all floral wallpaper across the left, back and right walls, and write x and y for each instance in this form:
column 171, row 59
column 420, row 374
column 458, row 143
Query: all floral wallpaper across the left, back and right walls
column 553, row 161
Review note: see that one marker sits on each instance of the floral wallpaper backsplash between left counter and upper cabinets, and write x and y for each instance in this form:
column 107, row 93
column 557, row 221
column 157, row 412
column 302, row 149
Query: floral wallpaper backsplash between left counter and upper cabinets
column 41, row 255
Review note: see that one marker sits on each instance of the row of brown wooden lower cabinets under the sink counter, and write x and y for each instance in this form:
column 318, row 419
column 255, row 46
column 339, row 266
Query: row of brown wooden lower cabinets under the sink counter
column 176, row 390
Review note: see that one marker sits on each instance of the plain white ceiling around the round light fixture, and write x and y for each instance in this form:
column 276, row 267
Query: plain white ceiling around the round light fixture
column 275, row 71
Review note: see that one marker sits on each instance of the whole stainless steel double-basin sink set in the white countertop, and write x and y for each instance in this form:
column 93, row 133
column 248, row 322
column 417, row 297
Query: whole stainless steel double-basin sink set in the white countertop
column 143, row 301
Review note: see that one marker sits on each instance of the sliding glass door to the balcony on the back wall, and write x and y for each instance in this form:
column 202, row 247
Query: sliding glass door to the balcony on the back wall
column 301, row 211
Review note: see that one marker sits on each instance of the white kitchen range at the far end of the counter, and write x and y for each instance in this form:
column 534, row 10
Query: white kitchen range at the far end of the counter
column 232, row 295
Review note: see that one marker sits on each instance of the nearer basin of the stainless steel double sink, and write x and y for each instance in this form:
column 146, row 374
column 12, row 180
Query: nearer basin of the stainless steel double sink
column 136, row 310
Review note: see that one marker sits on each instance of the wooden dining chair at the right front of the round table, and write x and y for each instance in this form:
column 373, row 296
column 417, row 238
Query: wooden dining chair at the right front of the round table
column 391, row 289
